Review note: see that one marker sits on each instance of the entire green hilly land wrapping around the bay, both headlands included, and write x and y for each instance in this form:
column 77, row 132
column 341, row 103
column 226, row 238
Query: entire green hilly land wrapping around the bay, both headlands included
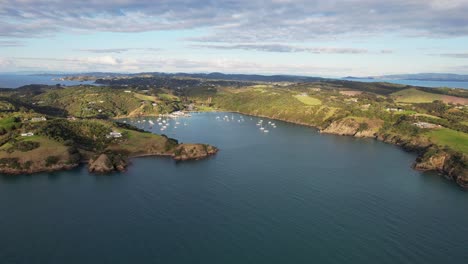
column 76, row 124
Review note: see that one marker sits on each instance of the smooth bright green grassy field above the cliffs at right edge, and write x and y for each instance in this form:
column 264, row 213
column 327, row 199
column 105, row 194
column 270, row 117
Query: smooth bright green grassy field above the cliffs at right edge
column 453, row 139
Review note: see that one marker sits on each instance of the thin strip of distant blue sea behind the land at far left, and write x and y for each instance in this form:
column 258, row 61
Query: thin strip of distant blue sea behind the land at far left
column 18, row 80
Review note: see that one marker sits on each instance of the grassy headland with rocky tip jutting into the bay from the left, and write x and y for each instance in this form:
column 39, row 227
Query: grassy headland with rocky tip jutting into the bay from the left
column 62, row 144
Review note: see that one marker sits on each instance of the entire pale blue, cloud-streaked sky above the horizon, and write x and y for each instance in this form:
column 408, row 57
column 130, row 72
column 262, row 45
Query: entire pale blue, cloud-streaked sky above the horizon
column 333, row 38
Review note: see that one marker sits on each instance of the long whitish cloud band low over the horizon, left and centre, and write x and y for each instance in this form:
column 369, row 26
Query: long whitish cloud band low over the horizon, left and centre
column 161, row 64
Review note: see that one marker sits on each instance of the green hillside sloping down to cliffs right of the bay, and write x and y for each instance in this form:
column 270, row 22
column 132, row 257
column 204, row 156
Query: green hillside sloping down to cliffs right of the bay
column 432, row 124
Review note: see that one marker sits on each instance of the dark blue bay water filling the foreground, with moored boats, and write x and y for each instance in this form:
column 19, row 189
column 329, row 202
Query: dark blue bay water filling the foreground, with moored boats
column 288, row 196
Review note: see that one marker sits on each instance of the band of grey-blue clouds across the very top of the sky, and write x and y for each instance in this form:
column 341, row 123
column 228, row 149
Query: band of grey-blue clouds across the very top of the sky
column 238, row 21
